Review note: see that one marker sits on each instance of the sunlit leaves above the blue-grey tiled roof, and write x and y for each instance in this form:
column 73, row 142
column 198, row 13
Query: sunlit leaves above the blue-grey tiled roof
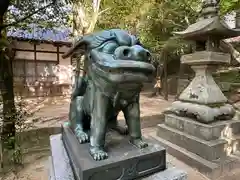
column 51, row 16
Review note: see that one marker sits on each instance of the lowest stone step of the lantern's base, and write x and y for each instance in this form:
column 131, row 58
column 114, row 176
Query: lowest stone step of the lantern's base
column 220, row 169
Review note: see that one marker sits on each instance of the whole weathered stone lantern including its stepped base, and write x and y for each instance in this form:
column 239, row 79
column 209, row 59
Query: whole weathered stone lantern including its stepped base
column 199, row 124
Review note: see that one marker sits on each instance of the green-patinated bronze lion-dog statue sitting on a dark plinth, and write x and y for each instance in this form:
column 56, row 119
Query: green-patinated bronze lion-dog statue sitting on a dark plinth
column 117, row 65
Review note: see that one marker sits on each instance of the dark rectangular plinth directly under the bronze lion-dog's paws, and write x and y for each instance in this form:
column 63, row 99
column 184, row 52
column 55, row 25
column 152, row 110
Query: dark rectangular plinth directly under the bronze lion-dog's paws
column 125, row 160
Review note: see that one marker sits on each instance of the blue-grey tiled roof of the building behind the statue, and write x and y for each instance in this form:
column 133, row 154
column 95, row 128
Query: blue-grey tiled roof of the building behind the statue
column 36, row 33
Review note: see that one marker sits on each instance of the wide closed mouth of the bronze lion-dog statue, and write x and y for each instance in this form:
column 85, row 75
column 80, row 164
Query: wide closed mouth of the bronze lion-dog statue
column 116, row 70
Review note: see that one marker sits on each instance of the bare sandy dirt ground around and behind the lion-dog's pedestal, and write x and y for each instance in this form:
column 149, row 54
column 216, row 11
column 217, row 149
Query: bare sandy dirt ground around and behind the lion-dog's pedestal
column 55, row 112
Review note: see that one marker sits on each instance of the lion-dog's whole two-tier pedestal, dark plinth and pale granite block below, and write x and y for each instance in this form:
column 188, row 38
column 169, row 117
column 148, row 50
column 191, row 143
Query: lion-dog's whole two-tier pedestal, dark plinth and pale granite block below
column 125, row 162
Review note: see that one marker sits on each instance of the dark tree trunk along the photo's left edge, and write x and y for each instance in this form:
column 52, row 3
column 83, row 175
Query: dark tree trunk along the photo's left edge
column 7, row 95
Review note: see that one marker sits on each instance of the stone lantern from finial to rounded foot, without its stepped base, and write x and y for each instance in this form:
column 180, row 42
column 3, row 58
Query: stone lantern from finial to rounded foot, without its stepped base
column 203, row 99
